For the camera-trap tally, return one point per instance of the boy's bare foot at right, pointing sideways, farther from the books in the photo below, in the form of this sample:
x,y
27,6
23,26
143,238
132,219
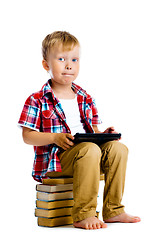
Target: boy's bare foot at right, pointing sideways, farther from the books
x,y
124,218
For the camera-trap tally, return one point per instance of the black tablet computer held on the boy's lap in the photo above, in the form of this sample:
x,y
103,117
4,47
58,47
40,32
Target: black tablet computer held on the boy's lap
x,y
98,138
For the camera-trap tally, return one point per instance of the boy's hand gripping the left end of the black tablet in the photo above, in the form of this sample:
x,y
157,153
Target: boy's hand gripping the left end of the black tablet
x,y
63,140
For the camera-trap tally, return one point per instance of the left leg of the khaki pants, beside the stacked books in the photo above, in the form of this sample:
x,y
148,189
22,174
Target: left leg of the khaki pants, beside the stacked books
x,y
82,161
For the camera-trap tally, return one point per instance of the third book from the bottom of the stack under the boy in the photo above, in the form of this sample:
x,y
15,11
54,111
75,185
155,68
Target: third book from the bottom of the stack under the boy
x,y
54,204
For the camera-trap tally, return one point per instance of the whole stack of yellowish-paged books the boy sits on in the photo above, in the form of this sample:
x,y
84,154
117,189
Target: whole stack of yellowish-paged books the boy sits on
x,y
54,202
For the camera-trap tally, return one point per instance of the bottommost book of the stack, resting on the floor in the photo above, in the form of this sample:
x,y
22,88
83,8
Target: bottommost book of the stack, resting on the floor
x,y
54,222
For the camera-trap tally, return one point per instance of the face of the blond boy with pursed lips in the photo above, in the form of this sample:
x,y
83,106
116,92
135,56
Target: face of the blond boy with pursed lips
x,y
63,65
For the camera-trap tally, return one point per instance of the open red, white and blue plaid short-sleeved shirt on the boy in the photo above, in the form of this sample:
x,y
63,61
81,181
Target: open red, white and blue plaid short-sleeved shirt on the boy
x,y
43,112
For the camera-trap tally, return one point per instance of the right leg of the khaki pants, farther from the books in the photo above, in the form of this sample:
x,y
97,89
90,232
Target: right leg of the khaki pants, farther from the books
x,y
113,164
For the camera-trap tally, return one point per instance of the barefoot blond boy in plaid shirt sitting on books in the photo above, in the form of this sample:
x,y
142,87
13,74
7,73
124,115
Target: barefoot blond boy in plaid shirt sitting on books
x,y
52,116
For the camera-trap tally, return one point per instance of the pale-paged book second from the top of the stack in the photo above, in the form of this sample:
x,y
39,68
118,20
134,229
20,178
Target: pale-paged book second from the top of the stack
x,y
54,188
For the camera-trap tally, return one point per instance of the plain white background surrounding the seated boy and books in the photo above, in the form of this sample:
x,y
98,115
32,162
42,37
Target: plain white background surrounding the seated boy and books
x,y
120,67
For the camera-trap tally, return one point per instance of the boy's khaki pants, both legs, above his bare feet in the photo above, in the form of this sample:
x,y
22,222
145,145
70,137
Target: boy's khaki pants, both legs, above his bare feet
x,y
85,161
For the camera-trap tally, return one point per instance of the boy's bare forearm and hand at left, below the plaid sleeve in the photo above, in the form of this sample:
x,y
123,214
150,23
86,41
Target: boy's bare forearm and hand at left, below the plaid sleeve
x,y
40,138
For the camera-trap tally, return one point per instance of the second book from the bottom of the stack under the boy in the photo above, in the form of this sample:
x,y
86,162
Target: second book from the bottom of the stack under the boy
x,y
53,213
